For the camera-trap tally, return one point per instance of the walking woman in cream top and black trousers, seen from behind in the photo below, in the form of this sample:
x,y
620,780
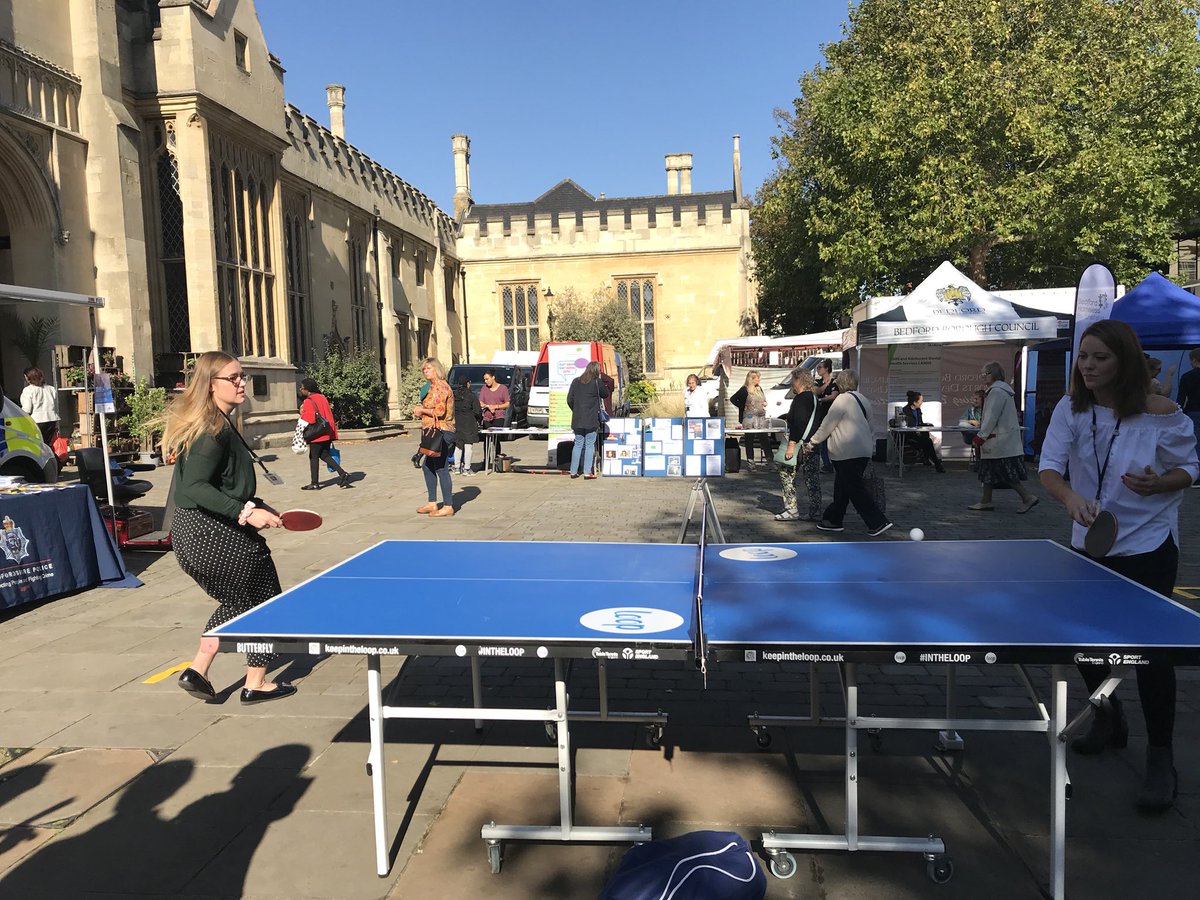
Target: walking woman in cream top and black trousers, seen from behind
x,y
848,429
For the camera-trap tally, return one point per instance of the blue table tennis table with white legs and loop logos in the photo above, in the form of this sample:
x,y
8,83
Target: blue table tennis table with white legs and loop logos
x,y
891,603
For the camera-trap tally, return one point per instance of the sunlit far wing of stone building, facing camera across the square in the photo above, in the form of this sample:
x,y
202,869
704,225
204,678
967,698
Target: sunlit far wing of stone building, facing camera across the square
x,y
681,261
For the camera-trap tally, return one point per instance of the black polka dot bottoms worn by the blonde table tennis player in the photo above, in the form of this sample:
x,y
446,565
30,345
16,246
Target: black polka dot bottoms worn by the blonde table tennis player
x,y
231,562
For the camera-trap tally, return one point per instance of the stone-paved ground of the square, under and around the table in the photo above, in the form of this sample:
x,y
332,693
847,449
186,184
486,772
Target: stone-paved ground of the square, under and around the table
x,y
113,787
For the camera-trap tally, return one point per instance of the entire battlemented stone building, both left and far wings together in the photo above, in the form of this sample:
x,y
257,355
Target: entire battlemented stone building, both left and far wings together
x,y
148,155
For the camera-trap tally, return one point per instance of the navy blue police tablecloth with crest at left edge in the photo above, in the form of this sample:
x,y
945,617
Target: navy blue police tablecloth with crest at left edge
x,y
55,543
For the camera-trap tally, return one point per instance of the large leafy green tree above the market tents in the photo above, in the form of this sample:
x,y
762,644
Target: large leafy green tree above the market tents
x,y
1019,139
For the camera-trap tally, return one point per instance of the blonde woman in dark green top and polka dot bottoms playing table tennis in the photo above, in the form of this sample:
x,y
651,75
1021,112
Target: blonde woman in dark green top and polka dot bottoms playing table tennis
x,y
218,519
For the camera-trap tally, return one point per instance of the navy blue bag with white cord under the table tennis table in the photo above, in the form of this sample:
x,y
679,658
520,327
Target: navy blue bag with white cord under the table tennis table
x,y
700,866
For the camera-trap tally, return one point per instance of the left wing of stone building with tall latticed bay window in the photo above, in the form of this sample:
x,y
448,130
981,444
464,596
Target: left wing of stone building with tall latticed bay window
x,y
148,155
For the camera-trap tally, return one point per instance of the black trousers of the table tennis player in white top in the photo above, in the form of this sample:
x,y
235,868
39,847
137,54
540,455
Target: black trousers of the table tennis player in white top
x,y
1156,683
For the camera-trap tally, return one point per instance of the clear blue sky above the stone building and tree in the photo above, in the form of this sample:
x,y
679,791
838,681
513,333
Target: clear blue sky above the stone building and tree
x,y
553,91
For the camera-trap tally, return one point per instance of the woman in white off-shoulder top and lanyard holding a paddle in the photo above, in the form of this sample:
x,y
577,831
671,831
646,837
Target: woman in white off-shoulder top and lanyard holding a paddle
x,y
1132,453
